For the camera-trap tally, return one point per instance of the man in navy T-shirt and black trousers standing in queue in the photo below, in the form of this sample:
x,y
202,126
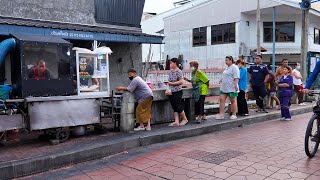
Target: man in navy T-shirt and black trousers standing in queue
x,y
258,77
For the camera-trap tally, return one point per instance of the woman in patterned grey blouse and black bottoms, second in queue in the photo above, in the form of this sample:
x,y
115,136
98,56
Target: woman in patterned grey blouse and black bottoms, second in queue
x,y
175,84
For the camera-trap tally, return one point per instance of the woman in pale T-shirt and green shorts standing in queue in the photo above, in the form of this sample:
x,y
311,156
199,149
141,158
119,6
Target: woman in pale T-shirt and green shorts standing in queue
x,y
229,88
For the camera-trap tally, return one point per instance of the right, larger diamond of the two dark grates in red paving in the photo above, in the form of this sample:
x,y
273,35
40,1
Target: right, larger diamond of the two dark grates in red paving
x,y
220,157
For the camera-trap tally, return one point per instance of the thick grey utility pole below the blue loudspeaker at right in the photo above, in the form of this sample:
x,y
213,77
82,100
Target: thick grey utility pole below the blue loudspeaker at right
x,y
304,42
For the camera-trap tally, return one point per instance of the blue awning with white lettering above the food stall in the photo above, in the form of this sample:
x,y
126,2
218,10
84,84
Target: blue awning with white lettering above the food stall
x,y
74,31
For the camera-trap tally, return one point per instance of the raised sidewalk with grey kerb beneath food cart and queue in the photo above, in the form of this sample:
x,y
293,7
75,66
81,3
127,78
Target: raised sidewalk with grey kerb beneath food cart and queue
x,y
35,156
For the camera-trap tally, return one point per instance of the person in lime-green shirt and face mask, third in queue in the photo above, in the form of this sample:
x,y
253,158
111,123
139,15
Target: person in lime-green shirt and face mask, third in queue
x,y
200,88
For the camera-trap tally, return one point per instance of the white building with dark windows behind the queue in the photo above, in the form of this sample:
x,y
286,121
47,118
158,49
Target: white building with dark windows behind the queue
x,y
211,30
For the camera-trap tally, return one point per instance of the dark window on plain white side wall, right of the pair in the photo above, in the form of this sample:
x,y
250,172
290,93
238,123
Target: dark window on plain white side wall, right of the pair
x,y
223,33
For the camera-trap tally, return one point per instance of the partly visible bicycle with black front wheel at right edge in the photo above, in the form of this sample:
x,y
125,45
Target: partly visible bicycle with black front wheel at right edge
x,y
312,136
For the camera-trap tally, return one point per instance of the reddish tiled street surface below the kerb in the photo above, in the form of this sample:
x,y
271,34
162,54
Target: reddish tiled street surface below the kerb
x,y
266,151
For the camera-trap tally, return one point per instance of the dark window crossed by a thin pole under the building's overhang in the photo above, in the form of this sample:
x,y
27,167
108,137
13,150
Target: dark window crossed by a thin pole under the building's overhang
x,y
284,31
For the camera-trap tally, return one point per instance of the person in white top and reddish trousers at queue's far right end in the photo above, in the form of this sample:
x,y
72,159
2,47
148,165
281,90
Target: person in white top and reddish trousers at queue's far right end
x,y
297,82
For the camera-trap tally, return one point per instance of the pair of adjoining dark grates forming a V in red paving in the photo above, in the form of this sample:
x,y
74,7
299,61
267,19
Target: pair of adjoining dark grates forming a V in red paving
x,y
214,158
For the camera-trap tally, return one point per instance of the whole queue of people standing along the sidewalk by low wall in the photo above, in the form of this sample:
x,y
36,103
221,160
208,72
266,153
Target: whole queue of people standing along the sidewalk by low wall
x,y
233,87
